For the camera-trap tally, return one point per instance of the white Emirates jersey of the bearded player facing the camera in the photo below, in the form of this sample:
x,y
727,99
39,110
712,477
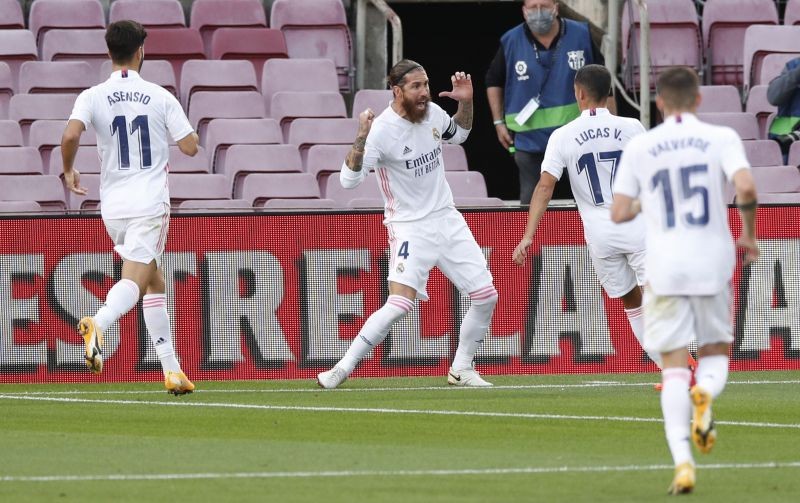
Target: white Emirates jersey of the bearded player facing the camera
x,y
407,158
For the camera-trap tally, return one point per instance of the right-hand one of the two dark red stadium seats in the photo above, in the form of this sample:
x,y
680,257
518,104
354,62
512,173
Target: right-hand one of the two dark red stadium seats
x,y
256,45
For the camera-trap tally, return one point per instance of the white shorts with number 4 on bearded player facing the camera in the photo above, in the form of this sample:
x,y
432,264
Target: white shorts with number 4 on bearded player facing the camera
x,y
444,241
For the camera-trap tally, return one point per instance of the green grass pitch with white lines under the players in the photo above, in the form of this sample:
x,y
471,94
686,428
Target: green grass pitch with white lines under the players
x,y
531,438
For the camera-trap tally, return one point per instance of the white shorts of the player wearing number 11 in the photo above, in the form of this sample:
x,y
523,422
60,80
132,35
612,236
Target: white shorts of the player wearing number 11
x,y
139,239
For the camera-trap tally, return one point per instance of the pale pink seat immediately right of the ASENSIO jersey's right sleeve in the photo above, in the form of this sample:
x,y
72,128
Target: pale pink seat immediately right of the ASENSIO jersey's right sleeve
x,y
209,105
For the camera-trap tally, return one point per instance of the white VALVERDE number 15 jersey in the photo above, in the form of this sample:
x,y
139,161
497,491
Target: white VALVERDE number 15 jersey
x,y
678,171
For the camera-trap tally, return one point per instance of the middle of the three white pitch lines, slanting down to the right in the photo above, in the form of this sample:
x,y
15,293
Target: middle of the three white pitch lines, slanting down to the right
x,y
381,410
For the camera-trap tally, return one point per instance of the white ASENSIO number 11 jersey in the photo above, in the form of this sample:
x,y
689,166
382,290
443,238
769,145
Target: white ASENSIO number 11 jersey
x,y
131,118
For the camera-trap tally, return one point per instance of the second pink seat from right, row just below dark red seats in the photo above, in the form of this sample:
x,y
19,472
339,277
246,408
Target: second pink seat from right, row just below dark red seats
x,y
198,75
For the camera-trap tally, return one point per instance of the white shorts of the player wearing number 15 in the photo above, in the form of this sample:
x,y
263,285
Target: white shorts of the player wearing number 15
x,y
672,321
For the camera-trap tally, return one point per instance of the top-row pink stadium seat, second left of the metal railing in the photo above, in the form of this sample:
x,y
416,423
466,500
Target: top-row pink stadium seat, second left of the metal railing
x,y
209,15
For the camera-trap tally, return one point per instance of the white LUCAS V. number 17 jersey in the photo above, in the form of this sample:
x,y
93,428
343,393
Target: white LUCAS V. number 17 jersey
x,y
590,148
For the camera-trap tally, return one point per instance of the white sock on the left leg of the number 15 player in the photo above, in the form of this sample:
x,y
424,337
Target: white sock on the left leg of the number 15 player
x,y
676,405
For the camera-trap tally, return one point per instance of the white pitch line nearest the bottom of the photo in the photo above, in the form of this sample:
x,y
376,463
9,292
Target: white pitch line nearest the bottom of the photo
x,y
391,473
